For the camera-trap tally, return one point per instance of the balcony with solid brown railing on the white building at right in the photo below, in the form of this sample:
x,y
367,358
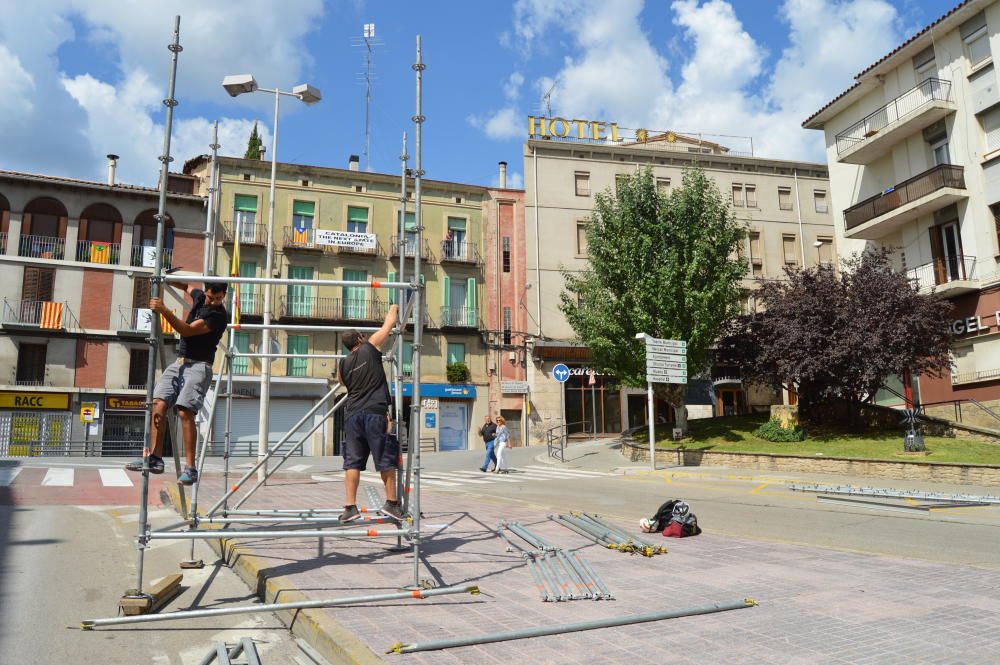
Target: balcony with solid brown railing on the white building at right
x,y
920,195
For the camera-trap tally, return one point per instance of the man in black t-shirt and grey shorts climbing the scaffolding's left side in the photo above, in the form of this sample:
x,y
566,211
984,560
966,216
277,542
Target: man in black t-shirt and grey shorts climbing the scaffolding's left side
x,y
185,383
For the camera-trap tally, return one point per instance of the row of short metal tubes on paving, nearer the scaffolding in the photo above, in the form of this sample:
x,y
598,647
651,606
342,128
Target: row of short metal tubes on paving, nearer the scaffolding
x,y
559,575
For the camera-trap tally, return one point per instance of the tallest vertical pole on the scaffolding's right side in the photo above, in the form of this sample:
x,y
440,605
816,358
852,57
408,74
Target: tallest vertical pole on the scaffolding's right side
x,y
418,325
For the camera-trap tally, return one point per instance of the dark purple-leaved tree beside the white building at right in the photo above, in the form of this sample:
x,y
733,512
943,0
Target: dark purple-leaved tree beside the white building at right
x,y
841,335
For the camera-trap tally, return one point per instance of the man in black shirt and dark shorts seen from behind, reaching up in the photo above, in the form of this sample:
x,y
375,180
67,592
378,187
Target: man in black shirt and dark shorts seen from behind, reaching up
x,y
366,418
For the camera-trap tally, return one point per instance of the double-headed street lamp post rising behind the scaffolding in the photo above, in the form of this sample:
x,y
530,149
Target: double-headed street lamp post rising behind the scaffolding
x,y
235,85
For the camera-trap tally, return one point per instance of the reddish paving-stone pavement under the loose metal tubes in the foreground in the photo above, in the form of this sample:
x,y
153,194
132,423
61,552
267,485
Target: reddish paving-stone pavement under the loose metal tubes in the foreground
x,y
816,605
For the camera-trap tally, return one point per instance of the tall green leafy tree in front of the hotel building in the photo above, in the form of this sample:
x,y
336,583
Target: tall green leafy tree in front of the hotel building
x,y
665,266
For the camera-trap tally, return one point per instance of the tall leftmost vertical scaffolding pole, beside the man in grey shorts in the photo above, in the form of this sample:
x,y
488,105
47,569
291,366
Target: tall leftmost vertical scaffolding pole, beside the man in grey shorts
x,y
155,336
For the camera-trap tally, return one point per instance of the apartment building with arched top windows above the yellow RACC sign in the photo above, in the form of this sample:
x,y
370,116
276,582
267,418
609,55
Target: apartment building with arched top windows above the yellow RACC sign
x,y
75,263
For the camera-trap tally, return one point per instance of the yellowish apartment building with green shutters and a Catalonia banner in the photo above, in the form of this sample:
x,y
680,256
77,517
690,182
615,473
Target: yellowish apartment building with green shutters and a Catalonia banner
x,y
312,200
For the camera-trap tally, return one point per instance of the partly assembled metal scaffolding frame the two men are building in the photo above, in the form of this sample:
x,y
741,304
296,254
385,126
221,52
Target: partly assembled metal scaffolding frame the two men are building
x,y
288,522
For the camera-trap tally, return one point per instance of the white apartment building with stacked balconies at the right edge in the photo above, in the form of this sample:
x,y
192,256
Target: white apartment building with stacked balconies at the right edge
x,y
913,148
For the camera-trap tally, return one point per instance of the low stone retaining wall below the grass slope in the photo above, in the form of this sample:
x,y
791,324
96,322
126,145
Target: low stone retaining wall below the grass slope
x,y
933,471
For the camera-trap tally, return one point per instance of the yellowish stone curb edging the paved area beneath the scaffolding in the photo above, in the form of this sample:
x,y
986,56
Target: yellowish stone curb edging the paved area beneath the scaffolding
x,y
322,632
